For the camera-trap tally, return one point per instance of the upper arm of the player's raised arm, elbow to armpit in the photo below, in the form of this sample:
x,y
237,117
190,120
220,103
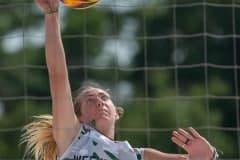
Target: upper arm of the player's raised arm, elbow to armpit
x,y
65,122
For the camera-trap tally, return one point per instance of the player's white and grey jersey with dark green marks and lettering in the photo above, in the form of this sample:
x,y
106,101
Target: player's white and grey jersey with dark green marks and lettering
x,y
89,144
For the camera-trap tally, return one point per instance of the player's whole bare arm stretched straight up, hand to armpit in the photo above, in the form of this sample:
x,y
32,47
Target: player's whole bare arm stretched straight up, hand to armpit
x,y
65,122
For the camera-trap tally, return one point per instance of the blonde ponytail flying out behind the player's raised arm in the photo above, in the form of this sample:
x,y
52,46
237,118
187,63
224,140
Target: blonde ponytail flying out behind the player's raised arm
x,y
38,137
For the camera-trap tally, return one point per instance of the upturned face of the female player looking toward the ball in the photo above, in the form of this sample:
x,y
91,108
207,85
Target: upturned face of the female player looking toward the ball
x,y
96,104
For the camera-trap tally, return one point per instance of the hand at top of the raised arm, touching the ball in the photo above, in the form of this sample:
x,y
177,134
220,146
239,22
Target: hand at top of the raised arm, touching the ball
x,y
48,6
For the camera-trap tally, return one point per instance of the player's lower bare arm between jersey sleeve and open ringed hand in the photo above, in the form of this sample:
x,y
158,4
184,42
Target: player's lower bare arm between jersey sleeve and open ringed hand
x,y
152,154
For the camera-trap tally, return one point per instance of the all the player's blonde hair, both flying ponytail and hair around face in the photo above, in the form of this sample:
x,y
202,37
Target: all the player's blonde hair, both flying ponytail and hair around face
x,y
38,135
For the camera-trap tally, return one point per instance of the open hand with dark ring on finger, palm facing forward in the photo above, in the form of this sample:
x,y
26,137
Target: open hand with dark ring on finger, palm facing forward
x,y
193,143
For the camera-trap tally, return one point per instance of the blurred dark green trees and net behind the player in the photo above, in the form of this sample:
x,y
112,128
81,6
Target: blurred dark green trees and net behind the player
x,y
168,63
